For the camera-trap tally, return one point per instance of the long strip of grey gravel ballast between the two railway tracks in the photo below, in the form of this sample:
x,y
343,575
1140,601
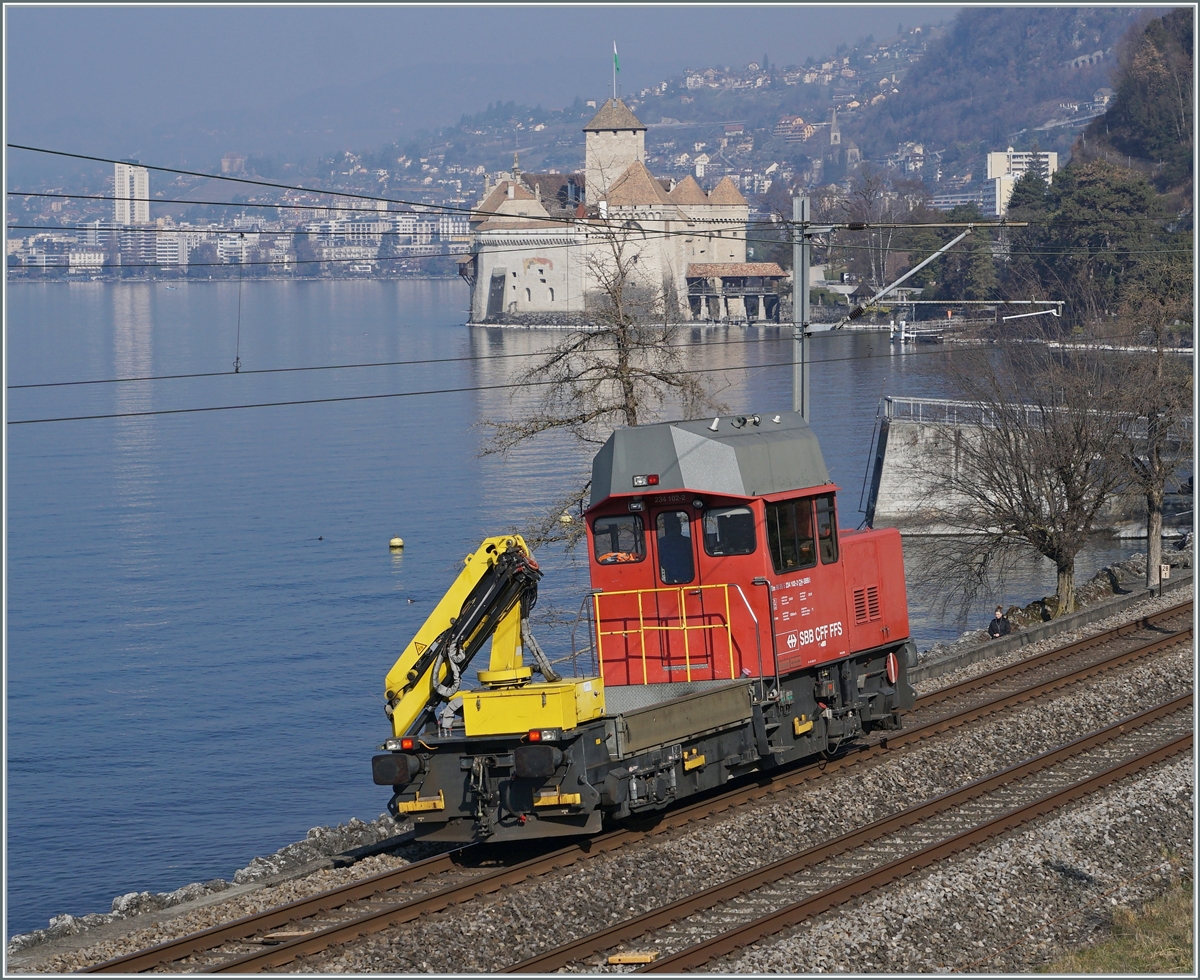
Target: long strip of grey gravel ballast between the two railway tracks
x,y
496,931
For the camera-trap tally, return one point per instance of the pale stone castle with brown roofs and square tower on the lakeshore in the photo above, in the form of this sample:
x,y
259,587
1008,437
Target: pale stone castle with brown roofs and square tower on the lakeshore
x,y
544,245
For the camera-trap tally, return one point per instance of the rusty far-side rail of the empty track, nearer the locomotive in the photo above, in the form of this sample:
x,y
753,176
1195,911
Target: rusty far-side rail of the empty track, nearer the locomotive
x,y
632,929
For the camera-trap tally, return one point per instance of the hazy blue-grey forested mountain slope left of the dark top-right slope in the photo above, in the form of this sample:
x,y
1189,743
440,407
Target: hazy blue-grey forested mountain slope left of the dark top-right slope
x,y
995,77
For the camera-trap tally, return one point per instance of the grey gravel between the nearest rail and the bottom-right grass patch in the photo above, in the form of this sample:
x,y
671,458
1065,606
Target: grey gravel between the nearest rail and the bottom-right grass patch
x,y
1015,906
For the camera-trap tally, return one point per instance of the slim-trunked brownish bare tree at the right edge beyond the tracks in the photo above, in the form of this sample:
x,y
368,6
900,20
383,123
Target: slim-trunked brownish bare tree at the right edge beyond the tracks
x,y
1159,394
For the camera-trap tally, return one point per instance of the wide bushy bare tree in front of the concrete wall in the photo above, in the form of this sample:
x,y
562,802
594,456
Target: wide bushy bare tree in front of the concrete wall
x,y
1037,462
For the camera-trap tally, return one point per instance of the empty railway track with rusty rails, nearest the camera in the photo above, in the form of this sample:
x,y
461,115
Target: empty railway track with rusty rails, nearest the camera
x,y
698,930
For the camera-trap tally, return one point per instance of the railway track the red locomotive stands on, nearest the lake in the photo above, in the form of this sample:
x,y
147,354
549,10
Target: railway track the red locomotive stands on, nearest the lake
x,y
308,927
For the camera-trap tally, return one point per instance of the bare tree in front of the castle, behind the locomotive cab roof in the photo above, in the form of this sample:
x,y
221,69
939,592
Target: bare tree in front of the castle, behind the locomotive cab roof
x,y
623,369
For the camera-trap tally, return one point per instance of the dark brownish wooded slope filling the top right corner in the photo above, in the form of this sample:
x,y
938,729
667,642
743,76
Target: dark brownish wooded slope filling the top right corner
x,y
1151,119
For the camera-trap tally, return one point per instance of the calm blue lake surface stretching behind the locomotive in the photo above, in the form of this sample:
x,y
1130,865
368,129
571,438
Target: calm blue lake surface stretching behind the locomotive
x,y
202,608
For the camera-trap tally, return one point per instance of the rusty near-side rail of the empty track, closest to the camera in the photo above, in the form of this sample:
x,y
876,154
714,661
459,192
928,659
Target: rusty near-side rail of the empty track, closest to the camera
x,y
730,942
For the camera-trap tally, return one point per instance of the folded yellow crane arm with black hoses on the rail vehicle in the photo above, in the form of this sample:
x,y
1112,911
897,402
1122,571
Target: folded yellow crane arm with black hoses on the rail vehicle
x,y
497,586
